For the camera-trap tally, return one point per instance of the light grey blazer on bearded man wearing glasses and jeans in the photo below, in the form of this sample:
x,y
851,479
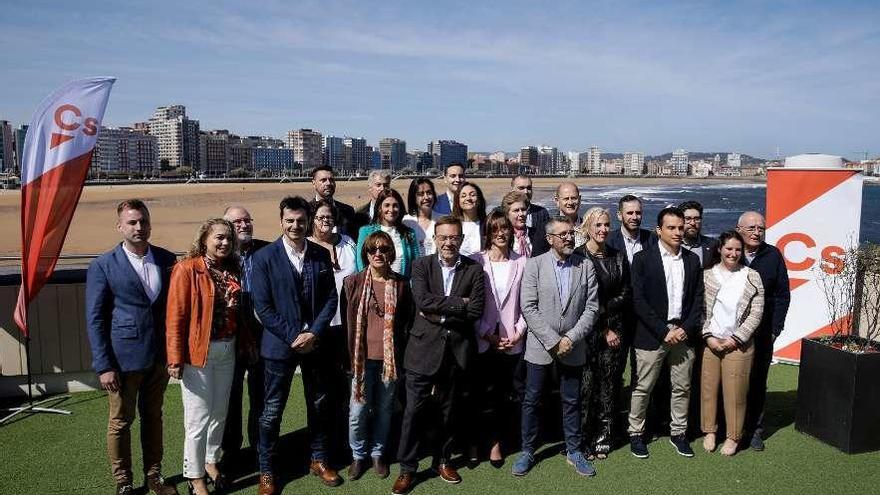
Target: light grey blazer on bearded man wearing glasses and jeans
x,y
548,318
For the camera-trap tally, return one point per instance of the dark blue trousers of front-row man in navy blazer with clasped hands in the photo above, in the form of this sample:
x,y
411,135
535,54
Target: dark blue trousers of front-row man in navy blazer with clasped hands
x,y
278,377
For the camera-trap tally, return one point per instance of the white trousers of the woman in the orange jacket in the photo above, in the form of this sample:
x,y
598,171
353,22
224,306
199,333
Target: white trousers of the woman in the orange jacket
x,y
205,401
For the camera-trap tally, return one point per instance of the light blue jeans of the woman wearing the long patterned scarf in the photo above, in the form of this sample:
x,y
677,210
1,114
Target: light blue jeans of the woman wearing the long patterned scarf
x,y
369,423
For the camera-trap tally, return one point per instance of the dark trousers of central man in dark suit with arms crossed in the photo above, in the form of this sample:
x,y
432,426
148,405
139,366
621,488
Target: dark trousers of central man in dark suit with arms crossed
x,y
443,390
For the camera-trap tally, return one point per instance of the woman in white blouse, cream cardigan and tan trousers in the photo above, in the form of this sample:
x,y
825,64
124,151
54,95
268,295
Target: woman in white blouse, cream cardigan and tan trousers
x,y
734,306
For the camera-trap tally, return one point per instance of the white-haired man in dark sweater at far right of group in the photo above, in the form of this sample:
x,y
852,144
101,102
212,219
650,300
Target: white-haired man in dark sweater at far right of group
x,y
769,263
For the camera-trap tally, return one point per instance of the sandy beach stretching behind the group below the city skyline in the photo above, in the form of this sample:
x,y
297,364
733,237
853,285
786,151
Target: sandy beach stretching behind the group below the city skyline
x,y
178,209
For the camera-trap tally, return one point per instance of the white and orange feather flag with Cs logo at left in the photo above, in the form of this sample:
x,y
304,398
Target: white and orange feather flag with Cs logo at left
x,y
57,153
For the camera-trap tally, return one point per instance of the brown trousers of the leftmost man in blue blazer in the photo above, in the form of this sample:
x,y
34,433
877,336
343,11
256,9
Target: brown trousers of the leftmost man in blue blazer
x,y
143,393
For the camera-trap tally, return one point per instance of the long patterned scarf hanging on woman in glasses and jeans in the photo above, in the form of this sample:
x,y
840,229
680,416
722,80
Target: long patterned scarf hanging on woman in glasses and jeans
x,y
389,366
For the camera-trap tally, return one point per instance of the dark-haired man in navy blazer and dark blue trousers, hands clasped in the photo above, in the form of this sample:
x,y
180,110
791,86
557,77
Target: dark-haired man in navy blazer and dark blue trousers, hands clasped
x,y
294,297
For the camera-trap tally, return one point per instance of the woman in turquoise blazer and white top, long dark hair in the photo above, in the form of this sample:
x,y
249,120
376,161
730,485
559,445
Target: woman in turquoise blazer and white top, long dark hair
x,y
388,217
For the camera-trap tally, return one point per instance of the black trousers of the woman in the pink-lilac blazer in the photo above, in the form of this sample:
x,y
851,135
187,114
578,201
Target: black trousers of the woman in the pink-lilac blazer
x,y
494,393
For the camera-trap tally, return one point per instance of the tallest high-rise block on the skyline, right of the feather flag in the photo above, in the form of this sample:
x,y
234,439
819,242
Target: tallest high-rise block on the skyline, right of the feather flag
x,y
177,136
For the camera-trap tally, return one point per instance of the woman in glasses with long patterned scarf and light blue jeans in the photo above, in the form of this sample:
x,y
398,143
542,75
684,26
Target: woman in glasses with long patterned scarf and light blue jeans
x,y
377,308
